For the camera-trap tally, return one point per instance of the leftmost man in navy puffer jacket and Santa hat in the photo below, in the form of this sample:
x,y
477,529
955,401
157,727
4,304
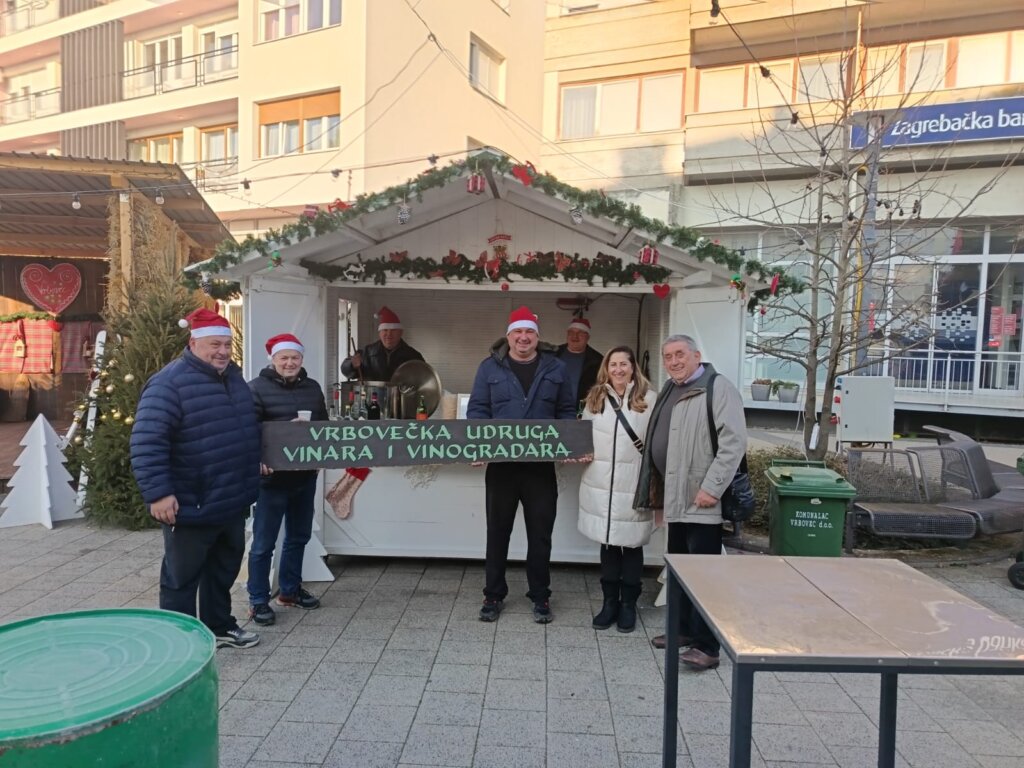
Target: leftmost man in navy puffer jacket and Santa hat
x,y
195,454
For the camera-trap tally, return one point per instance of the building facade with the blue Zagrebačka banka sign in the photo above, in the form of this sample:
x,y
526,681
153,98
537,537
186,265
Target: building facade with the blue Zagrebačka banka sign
x,y
769,96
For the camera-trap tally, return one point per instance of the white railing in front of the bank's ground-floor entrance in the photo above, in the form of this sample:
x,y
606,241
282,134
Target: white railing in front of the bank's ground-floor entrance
x,y
953,372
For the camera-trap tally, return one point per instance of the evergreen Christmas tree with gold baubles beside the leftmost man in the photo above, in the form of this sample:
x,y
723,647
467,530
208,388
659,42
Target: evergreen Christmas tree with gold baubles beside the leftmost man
x,y
141,340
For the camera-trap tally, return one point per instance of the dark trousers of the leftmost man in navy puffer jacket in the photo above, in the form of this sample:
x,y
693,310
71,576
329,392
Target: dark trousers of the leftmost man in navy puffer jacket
x,y
203,560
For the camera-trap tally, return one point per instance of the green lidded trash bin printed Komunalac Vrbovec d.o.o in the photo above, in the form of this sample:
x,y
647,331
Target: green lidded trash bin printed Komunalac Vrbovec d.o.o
x,y
807,509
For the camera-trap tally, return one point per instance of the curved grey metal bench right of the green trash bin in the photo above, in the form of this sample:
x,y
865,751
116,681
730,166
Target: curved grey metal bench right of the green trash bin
x,y
942,492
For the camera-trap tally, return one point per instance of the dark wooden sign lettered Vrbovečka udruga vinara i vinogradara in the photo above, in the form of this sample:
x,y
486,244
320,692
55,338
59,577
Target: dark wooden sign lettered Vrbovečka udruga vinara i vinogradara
x,y
295,445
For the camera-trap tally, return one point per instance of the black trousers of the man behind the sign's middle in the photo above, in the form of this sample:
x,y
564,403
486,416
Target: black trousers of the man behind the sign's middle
x,y
508,484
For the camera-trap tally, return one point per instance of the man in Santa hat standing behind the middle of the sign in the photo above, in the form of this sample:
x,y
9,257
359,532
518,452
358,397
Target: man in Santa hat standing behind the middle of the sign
x,y
521,380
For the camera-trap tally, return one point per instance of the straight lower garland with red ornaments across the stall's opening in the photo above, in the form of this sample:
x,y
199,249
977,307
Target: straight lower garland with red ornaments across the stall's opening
x,y
548,266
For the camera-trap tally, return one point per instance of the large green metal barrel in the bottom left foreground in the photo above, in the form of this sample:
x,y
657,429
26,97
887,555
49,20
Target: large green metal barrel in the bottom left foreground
x,y
114,689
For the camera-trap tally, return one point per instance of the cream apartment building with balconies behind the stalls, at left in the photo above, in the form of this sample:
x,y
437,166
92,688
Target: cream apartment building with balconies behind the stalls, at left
x,y
271,106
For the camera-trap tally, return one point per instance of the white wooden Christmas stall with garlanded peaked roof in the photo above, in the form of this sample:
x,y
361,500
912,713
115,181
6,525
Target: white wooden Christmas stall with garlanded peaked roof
x,y
451,253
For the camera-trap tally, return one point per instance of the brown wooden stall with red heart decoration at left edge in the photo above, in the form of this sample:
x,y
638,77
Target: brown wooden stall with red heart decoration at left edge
x,y
73,235
